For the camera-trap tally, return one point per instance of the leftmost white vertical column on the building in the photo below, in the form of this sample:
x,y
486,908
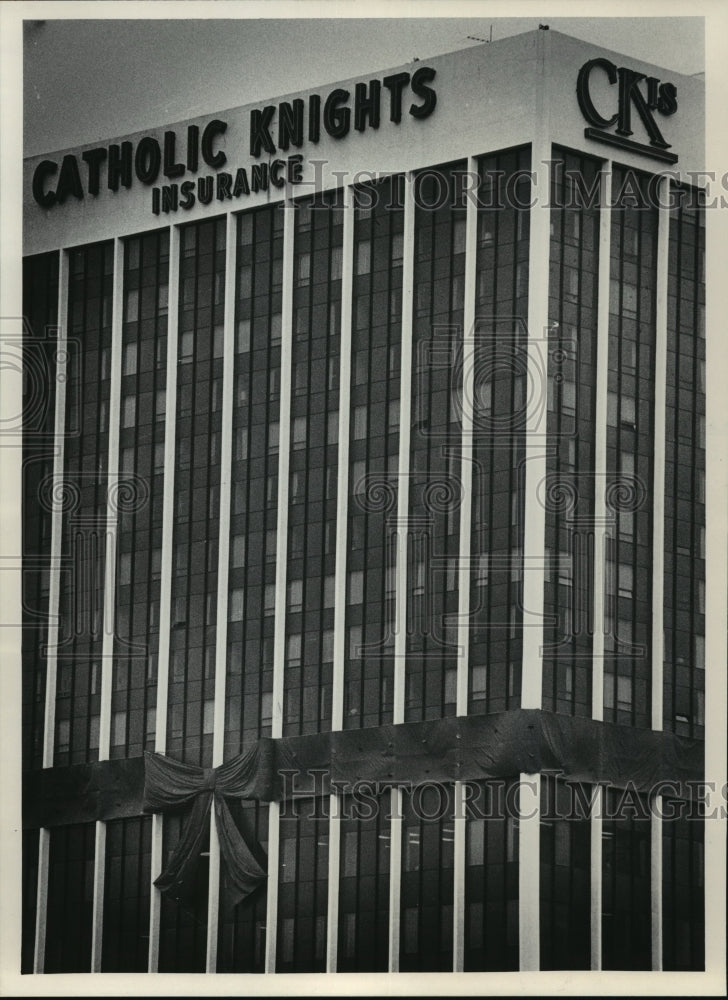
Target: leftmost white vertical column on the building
x,y
54,591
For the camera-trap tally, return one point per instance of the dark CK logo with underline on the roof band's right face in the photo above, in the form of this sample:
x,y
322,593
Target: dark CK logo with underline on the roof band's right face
x,y
637,93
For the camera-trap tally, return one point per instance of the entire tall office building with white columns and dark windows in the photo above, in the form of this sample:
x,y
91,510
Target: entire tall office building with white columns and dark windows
x,y
366,434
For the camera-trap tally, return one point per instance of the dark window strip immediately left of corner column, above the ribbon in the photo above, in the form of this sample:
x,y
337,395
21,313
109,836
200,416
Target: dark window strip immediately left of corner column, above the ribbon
x,y
499,420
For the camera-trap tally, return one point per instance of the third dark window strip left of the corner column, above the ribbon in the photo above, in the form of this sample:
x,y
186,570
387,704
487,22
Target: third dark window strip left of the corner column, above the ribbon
x,y
373,455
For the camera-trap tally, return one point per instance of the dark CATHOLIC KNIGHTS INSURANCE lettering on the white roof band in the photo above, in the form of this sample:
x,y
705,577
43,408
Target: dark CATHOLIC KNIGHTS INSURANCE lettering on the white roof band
x,y
273,130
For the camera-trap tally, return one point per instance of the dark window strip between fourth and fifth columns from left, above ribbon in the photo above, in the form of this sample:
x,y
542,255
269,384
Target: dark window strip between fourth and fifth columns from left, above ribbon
x,y
256,415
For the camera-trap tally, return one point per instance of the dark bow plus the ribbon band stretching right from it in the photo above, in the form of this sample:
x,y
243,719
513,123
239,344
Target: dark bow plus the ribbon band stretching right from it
x,y
468,748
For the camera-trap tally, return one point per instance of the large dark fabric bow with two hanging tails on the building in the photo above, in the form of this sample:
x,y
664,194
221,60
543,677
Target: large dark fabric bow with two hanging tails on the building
x,y
171,784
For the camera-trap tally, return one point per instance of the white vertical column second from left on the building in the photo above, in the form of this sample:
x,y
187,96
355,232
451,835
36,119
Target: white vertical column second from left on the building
x,y
109,609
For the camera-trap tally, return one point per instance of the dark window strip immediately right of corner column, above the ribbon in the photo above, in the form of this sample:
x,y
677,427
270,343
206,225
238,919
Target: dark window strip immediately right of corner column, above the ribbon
x,y
570,350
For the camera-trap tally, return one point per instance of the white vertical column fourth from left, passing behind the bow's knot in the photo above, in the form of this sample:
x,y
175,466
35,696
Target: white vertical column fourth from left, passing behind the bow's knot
x,y
223,570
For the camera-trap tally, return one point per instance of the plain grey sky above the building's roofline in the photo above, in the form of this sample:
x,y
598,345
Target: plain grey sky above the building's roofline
x,y
87,80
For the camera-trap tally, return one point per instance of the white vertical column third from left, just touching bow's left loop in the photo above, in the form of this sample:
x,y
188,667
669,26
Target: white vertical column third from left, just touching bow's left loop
x,y
165,592
